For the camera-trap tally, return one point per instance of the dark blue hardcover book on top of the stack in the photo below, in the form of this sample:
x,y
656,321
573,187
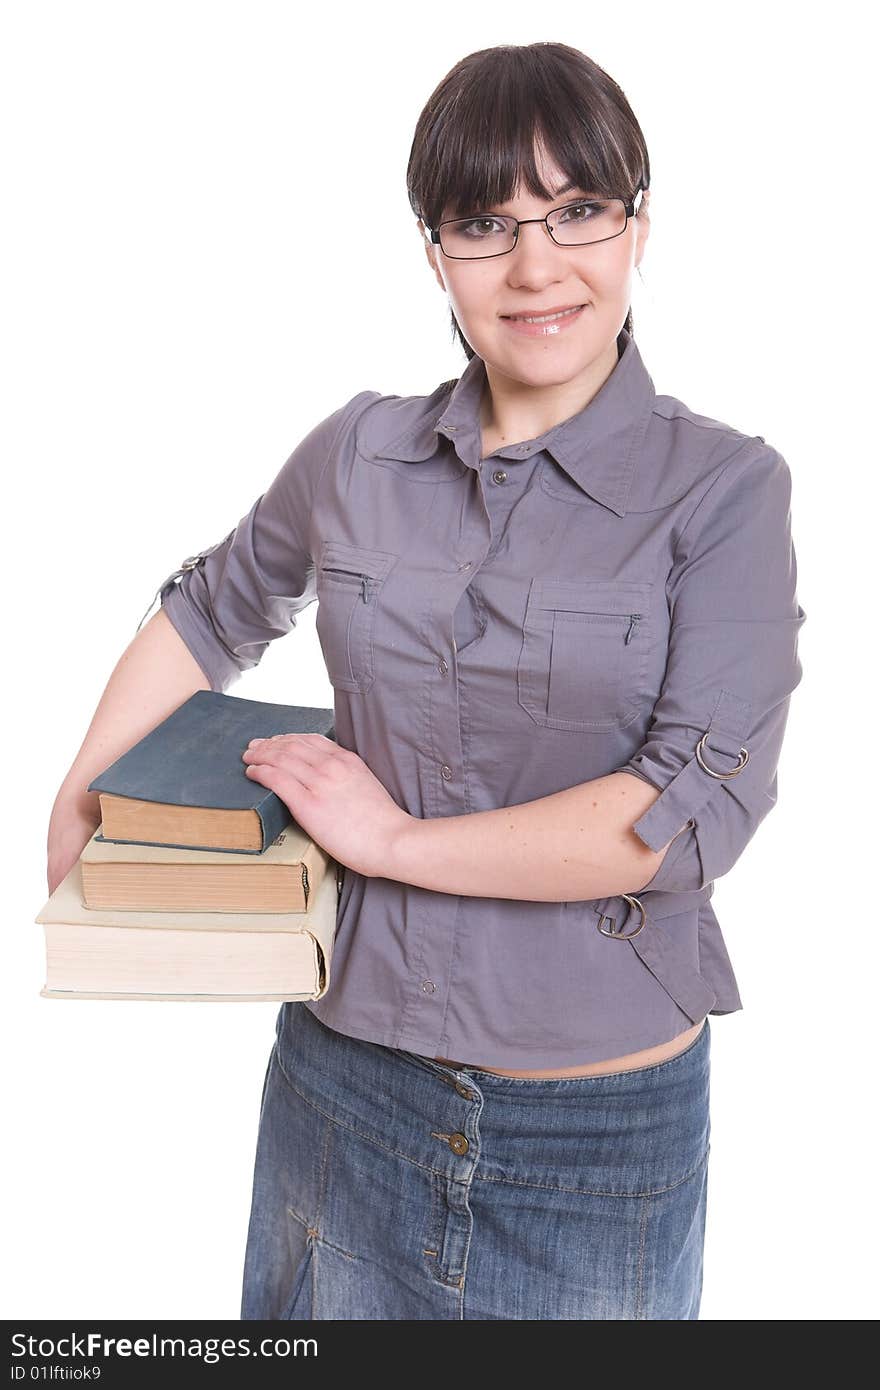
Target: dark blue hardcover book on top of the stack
x,y
186,786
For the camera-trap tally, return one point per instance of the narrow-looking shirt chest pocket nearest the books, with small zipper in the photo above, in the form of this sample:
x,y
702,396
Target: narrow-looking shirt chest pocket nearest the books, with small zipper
x,y
350,580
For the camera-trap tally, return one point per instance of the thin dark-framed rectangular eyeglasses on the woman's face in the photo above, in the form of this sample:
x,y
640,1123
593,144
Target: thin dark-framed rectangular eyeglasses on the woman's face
x,y
576,224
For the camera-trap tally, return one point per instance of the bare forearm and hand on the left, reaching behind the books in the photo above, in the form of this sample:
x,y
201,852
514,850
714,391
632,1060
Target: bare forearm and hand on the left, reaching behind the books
x,y
154,676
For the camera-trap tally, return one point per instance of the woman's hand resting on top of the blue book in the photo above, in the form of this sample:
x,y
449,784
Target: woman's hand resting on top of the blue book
x,y
333,796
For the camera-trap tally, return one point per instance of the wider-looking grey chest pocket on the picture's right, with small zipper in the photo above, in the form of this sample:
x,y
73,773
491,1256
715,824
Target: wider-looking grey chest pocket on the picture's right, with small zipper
x,y
585,655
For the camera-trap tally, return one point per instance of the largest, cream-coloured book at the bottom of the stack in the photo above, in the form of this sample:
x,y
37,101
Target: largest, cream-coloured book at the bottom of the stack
x,y
187,956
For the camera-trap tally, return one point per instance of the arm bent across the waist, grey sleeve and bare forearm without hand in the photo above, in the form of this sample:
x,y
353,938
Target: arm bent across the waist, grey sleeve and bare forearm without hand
x,y
711,751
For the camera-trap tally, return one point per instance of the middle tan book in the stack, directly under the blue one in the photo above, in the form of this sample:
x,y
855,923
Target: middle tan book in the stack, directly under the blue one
x,y
136,878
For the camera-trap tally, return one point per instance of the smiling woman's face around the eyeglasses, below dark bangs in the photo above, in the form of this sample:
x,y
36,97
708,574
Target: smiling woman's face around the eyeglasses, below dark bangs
x,y
537,277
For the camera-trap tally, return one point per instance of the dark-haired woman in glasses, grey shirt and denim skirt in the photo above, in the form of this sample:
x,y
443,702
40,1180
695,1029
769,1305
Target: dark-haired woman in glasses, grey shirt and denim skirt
x,y
561,692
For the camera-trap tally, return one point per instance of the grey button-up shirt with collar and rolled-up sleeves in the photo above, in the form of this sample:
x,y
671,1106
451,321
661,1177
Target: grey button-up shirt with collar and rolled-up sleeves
x,y
618,594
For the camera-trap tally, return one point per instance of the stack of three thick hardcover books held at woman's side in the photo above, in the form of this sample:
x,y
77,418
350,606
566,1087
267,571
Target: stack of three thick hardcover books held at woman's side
x,y
198,883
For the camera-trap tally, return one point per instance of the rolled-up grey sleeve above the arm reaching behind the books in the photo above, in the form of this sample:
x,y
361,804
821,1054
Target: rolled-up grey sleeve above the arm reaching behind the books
x,y
231,600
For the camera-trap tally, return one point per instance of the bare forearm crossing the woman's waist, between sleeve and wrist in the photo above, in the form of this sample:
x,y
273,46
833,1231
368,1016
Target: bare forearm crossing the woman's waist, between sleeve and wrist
x,y
568,847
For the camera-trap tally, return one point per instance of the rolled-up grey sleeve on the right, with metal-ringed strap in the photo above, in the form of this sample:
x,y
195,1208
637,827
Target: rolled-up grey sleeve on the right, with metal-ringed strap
x,y
717,733
